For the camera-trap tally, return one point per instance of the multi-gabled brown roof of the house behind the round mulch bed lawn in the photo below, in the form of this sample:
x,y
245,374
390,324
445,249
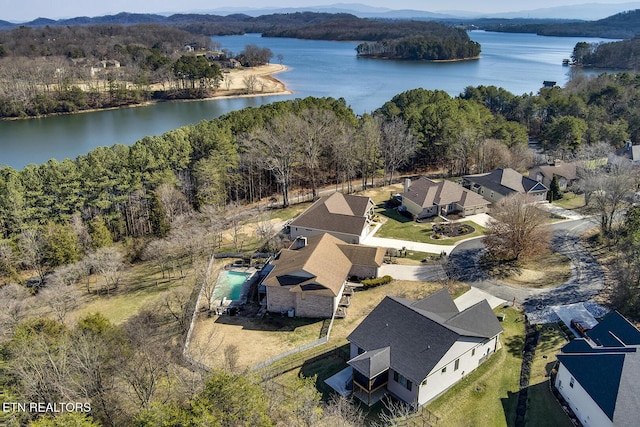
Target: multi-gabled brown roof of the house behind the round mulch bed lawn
x,y
426,193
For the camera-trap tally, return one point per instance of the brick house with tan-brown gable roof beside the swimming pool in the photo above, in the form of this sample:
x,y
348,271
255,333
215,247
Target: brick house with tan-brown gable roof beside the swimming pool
x,y
310,276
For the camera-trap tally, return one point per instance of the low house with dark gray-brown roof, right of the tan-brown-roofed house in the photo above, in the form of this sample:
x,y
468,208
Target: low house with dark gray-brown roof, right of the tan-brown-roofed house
x,y
500,183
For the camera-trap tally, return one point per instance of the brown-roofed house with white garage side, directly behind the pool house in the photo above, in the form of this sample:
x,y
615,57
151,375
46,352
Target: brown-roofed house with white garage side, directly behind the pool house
x,y
344,216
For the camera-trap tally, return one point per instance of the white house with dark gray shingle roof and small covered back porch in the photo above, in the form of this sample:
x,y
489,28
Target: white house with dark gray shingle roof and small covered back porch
x,y
416,350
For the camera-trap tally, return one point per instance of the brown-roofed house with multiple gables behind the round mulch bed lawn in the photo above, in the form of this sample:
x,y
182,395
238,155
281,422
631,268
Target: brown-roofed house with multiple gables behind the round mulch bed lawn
x,y
425,198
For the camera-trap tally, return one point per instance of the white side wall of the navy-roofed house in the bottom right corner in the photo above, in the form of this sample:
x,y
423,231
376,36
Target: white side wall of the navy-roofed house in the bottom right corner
x,y
587,411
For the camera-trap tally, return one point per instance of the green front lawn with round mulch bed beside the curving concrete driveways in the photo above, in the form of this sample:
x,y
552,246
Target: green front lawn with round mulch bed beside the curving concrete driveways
x,y
400,227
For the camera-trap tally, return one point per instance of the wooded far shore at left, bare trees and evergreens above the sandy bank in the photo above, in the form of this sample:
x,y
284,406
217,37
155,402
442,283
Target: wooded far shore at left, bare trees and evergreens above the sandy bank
x,y
54,70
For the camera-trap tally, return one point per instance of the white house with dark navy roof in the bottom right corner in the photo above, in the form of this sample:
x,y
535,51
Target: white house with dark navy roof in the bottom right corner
x,y
599,375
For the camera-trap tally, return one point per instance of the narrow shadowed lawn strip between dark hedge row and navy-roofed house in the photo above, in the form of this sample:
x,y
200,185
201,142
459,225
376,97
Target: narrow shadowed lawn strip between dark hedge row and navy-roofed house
x,y
543,410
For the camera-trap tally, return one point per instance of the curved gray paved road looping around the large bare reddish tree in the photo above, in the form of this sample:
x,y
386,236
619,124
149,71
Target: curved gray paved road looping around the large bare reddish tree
x,y
586,281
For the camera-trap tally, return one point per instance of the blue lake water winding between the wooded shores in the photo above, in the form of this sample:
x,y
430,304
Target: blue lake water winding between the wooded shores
x,y
516,62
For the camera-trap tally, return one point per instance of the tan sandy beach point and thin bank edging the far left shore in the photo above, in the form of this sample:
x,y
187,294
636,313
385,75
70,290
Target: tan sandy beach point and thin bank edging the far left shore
x,y
263,73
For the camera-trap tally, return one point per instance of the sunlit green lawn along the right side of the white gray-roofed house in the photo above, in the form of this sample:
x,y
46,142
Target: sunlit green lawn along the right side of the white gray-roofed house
x,y
487,397
